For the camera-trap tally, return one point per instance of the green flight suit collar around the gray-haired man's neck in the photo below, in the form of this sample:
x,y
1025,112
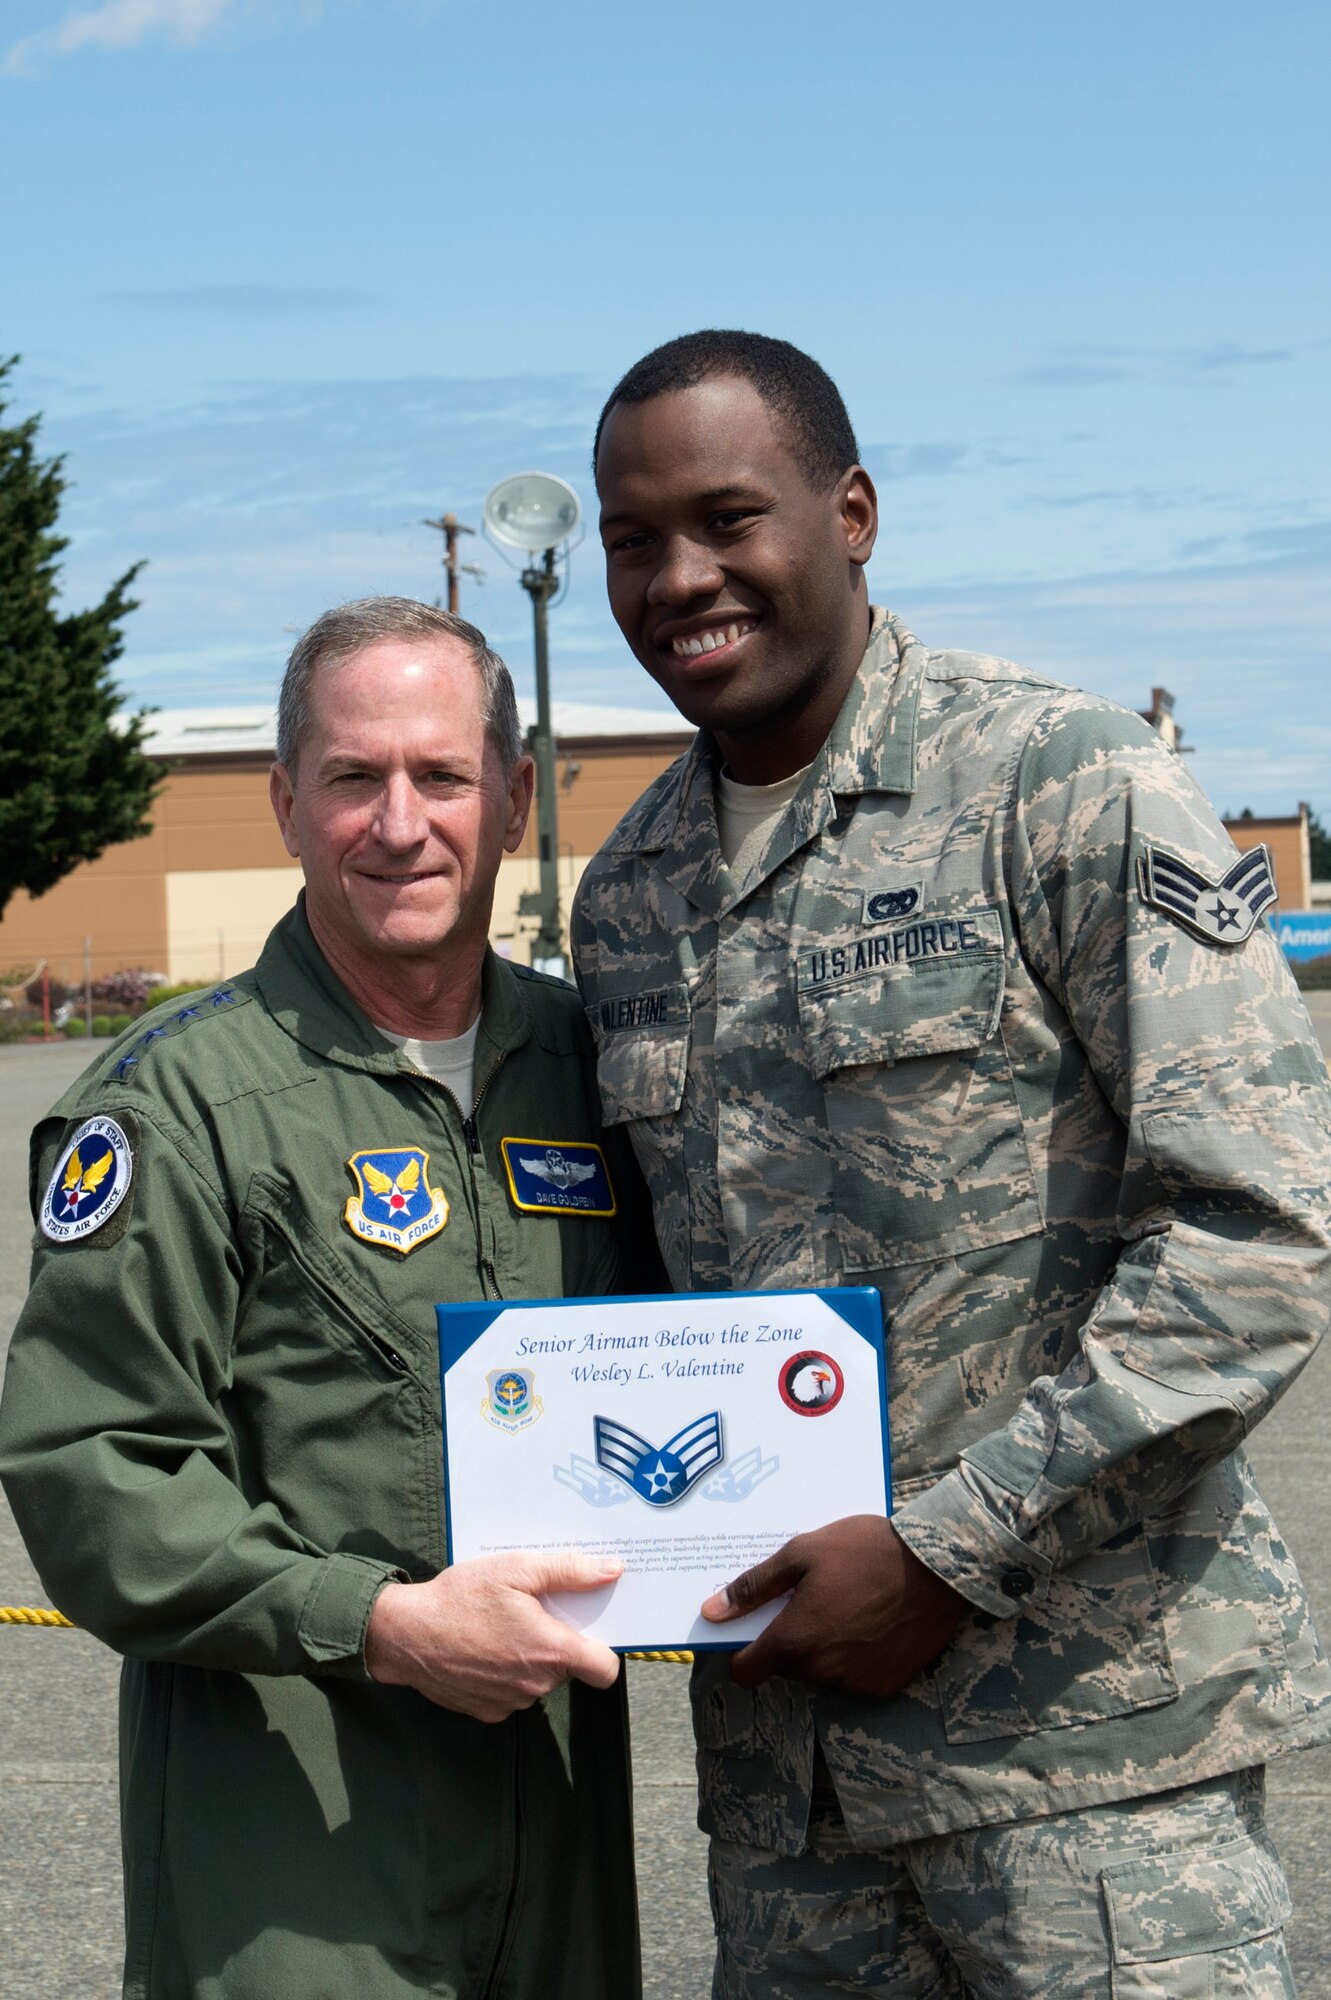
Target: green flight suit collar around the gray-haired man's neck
x,y
307,997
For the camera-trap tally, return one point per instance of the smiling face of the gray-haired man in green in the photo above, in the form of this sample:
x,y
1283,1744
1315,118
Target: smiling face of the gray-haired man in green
x,y
401,809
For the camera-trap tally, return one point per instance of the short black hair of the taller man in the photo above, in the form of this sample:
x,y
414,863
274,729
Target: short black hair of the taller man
x,y
790,383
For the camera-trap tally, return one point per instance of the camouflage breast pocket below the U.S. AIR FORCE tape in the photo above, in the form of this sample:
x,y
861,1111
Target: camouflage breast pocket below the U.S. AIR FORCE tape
x,y
924,1125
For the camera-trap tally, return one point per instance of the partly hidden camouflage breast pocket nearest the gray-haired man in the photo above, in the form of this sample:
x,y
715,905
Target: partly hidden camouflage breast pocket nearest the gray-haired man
x,y
641,1073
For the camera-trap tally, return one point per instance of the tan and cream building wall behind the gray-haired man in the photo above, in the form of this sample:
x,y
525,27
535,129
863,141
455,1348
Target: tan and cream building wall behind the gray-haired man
x,y
199,895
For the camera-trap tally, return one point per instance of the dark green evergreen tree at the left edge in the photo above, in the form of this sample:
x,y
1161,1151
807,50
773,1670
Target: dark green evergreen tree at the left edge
x,y
73,771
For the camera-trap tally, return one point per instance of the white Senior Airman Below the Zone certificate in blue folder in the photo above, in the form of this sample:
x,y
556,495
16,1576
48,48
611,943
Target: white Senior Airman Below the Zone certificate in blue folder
x,y
688,1435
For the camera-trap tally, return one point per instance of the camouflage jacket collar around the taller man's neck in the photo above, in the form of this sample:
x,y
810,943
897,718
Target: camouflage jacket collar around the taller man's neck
x,y
870,749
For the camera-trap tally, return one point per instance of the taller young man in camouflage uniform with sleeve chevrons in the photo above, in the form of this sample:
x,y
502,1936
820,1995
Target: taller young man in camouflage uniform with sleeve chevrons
x,y
928,973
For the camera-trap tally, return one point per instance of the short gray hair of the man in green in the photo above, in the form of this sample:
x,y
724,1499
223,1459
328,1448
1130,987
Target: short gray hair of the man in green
x,y
347,631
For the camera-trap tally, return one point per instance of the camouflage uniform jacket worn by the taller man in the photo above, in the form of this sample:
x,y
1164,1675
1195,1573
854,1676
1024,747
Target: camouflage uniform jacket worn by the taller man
x,y
944,1045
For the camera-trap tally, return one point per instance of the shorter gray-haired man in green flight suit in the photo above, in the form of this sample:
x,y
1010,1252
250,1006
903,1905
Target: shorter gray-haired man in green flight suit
x,y
349,1773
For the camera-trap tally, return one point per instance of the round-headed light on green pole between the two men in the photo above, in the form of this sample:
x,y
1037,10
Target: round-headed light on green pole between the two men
x,y
537,513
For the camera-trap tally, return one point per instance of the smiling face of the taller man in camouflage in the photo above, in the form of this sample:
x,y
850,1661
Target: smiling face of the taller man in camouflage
x,y
738,585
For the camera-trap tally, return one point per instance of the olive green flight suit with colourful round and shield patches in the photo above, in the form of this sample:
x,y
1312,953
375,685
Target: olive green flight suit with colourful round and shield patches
x,y
223,1435
